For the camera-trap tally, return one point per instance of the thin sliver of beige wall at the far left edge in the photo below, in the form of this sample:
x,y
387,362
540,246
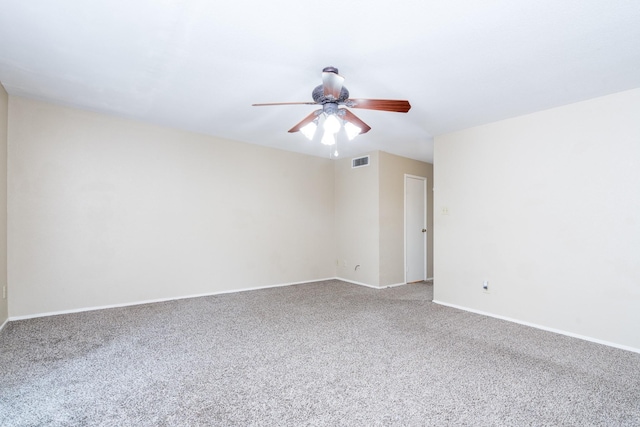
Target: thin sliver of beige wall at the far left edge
x,y
4,112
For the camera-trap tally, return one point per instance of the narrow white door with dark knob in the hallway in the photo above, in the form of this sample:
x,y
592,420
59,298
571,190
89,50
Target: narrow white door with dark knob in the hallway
x,y
415,222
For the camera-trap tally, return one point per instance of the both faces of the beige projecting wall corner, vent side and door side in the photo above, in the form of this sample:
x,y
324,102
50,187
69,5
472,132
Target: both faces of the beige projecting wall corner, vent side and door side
x,y
370,218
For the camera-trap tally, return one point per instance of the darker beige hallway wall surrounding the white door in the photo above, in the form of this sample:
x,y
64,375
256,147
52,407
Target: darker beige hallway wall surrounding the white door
x,y
392,171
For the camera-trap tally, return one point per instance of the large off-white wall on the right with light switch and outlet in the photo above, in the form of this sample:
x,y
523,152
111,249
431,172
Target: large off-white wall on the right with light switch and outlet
x,y
545,207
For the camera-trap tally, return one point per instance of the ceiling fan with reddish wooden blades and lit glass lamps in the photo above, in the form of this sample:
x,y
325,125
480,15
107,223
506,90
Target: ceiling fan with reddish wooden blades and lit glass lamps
x,y
331,94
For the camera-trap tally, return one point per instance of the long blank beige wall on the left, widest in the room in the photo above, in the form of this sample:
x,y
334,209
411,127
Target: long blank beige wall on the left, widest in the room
x,y
106,211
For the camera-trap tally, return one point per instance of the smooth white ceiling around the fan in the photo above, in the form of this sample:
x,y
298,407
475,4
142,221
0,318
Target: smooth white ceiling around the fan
x,y
200,64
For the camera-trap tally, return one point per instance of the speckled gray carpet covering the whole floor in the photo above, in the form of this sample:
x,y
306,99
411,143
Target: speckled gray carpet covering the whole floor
x,y
325,354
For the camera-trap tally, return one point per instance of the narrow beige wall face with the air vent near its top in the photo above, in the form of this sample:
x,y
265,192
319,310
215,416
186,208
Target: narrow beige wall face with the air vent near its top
x,y
357,221
